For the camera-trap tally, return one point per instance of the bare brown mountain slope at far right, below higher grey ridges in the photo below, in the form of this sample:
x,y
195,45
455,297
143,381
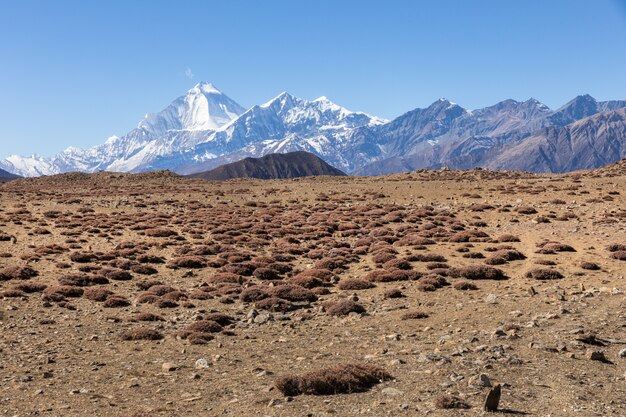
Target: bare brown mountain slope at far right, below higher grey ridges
x,y
589,143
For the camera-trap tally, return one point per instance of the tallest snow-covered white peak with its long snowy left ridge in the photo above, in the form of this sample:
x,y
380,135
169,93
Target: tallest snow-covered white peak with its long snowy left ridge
x,y
187,121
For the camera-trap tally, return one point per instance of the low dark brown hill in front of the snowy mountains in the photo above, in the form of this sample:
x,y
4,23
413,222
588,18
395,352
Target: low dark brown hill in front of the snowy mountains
x,y
273,166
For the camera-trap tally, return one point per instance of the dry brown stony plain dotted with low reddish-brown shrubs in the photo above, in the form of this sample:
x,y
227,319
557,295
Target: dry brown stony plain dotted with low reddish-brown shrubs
x,y
156,295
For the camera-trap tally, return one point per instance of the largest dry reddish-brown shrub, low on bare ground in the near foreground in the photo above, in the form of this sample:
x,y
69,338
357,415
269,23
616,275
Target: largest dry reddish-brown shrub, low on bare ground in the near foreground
x,y
339,379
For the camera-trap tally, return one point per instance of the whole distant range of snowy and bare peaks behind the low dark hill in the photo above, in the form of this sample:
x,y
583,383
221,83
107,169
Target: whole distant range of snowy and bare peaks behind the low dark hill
x,y
204,129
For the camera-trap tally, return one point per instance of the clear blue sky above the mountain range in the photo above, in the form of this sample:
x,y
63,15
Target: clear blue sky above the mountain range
x,y
76,72
